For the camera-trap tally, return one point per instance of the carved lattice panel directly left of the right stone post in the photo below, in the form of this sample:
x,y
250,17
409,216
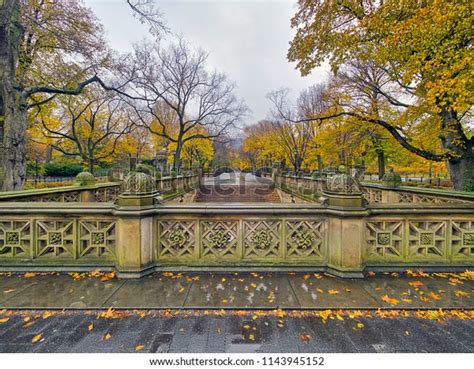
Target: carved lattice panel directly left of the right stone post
x,y
304,238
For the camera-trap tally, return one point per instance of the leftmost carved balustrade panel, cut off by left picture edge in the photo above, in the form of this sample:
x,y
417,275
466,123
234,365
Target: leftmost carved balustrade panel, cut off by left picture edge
x,y
15,238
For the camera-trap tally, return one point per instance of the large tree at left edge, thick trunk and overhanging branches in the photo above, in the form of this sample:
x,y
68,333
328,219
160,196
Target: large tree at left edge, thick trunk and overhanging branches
x,y
48,48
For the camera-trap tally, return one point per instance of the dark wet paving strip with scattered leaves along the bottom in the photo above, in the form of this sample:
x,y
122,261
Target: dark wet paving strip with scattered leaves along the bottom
x,y
232,331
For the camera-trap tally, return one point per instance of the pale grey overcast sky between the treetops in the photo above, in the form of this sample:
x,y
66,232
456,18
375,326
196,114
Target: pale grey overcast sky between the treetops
x,y
246,39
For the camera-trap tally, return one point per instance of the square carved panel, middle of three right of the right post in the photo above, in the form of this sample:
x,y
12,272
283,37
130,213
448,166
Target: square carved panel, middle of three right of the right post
x,y
427,239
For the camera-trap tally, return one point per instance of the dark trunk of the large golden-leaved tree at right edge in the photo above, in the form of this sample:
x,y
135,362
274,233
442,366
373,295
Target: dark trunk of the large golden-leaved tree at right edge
x,y
461,150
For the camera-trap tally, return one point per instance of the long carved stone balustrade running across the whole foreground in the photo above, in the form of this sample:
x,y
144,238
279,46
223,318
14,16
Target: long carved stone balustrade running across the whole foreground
x,y
138,239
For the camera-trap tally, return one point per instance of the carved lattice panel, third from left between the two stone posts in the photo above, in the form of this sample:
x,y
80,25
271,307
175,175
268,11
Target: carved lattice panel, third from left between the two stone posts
x,y
262,238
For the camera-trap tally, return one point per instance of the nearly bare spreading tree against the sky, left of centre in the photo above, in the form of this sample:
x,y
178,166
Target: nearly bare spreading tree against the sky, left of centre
x,y
177,98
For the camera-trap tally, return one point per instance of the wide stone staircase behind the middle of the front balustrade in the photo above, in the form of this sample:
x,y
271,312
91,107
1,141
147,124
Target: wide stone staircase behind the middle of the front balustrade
x,y
237,193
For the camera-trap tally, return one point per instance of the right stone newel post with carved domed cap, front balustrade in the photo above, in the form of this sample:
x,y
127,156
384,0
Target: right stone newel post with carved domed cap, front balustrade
x,y
343,195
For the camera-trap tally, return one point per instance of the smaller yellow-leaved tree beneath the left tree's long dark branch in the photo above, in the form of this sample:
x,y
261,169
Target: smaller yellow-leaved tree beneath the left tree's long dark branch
x,y
88,126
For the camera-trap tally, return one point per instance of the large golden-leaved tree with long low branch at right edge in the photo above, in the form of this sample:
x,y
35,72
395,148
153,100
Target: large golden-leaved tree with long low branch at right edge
x,y
425,51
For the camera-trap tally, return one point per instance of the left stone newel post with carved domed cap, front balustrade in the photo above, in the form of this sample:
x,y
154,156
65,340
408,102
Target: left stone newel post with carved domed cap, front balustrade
x,y
136,232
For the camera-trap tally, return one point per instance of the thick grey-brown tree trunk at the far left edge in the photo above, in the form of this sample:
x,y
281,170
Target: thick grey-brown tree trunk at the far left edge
x,y
13,106
